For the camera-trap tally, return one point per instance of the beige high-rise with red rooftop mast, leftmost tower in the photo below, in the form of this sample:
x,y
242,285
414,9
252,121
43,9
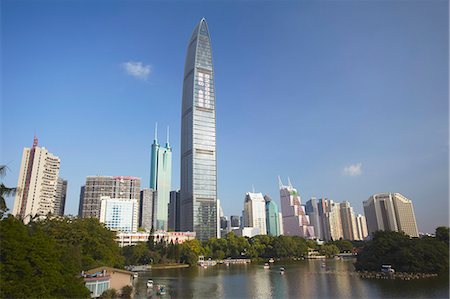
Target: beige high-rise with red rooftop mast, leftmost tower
x,y
37,183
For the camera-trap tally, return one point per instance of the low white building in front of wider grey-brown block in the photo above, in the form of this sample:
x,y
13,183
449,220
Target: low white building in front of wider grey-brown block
x,y
119,214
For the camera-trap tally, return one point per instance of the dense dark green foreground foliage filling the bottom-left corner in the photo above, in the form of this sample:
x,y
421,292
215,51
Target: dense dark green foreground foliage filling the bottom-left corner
x,y
34,265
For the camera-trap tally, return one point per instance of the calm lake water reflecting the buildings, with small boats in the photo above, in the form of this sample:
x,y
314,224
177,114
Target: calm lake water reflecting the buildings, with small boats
x,y
305,279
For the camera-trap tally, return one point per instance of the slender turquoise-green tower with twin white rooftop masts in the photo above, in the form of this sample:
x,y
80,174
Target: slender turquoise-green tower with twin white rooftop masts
x,y
160,181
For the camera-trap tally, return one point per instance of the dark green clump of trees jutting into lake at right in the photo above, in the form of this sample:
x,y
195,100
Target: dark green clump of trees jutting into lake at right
x,y
425,255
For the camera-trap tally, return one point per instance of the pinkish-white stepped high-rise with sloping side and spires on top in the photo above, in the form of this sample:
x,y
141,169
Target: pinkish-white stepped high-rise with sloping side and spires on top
x,y
295,220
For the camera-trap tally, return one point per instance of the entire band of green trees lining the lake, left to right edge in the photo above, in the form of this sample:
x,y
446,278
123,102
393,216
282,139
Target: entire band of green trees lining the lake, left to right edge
x,y
45,258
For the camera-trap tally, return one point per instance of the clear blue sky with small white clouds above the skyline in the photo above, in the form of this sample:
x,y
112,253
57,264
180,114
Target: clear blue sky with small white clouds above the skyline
x,y
347,98
